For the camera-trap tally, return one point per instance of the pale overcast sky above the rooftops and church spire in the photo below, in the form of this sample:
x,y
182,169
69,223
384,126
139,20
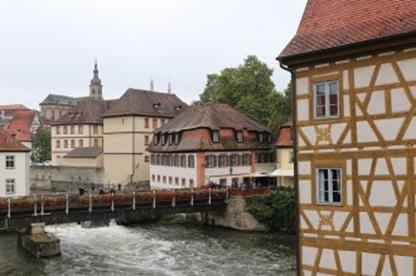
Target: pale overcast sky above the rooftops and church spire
x,y
49,46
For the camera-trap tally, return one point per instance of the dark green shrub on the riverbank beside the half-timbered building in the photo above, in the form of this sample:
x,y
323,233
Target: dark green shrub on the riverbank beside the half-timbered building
x,y
276,210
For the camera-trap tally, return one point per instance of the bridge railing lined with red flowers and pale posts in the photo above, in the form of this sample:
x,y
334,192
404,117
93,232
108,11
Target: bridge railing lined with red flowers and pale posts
x,y
47,203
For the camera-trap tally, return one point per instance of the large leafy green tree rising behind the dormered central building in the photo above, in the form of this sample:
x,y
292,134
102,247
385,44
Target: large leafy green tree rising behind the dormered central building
x,y
250,89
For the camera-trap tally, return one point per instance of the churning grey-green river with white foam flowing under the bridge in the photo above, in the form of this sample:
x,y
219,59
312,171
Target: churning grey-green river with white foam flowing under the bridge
x,y
155,249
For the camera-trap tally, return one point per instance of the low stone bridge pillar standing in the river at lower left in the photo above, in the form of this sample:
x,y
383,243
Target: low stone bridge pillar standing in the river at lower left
x,y
37,242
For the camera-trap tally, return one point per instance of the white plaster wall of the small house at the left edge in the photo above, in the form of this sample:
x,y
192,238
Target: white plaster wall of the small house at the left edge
x,y
20,173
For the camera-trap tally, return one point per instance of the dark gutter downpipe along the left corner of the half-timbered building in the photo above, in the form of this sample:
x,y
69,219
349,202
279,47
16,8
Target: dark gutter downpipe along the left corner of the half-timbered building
x,y
295,165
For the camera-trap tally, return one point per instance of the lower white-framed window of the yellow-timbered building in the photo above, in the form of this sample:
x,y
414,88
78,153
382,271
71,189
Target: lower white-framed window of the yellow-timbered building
x,y
329,186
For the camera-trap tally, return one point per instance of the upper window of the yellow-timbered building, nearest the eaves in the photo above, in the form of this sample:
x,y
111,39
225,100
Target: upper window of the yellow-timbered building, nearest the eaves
x,y
326,99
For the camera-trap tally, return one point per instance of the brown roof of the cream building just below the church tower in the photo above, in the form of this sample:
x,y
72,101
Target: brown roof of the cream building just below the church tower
x,y
89,111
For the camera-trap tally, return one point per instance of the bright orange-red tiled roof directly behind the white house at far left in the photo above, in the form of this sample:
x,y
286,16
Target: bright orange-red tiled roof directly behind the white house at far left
x,y
20,125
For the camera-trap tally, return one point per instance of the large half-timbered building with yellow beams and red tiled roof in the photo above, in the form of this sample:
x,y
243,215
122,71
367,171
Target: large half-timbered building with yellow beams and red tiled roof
x,y
353,64
